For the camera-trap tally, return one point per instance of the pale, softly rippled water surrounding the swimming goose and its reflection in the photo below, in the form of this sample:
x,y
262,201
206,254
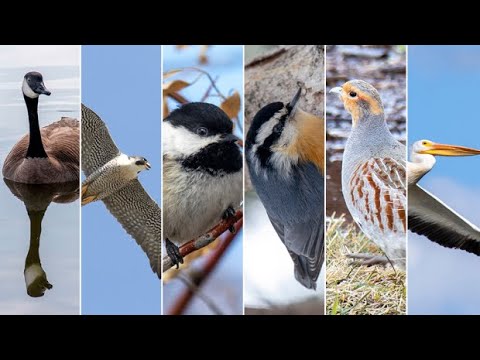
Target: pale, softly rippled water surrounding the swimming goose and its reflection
x,y
60,239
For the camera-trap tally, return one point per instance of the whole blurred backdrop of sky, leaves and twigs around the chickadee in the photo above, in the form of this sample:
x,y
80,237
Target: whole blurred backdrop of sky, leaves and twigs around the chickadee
x,y
202,70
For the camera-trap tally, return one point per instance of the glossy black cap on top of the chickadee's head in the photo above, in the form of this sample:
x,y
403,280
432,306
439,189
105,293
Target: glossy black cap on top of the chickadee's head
x,y
202,119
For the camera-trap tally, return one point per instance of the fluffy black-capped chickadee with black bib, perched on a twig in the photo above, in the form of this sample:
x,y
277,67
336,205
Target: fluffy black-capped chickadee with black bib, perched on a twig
x,y
202,173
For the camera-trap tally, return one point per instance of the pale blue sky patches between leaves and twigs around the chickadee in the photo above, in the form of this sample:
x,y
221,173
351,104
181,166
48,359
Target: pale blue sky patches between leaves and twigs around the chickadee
x,y
225,284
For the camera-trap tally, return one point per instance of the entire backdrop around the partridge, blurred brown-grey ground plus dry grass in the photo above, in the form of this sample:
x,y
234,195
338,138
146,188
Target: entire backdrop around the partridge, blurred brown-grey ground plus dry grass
x,y
360,290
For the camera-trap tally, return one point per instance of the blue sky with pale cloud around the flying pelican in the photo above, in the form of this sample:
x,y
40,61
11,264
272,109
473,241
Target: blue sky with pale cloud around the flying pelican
x,y
442,99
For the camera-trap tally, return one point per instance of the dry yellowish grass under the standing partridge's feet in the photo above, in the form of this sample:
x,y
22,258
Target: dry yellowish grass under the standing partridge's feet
x,y
359,290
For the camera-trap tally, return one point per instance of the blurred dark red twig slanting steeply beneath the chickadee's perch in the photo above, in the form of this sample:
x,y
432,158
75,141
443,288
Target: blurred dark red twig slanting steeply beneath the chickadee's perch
x,y
183,301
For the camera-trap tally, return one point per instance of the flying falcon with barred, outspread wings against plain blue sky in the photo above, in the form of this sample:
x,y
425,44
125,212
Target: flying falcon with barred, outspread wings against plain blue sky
x,y
112,178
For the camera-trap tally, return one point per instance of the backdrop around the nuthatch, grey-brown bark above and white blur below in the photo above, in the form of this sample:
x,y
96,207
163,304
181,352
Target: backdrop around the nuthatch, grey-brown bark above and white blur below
x,y
271,74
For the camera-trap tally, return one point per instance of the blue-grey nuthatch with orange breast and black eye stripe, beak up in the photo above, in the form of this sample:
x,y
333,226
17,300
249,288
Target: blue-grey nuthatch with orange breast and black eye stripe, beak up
x,y
284,153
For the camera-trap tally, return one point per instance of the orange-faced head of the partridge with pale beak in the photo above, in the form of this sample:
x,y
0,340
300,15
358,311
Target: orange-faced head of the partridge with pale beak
x,y
360,99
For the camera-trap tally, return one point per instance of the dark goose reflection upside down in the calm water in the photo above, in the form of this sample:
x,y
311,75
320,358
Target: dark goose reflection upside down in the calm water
x,y
37,198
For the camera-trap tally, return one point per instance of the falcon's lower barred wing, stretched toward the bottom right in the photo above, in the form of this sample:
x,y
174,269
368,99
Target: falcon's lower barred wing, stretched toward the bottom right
x,y
140,216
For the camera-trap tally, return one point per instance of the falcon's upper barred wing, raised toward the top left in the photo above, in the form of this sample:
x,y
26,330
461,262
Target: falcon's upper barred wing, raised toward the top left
x,y
98,147
